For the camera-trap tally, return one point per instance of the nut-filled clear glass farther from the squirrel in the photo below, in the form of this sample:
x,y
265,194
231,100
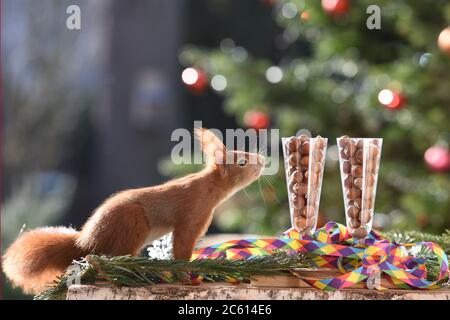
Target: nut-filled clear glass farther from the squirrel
x,y
359,160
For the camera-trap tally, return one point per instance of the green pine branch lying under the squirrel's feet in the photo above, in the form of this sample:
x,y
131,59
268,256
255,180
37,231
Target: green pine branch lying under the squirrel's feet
x,y
140,271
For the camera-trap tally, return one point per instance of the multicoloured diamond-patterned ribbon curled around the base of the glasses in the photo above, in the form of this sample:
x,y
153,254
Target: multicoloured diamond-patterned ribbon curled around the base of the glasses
x,y
334,247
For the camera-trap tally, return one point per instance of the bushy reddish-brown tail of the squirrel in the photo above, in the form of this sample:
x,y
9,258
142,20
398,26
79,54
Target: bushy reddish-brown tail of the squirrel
x,y
38,256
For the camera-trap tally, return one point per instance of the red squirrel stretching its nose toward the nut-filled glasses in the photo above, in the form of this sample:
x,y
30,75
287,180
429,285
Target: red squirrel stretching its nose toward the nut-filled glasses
x,y
128,220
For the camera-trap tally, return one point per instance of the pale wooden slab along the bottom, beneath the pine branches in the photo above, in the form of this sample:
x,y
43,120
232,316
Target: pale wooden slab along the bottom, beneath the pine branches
x,y
243,292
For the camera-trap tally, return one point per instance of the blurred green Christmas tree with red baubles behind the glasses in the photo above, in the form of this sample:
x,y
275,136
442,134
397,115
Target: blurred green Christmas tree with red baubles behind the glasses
x,y
360,68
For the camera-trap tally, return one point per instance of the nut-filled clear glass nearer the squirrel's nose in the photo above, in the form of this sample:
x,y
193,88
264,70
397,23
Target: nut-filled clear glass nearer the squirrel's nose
x,y
304,159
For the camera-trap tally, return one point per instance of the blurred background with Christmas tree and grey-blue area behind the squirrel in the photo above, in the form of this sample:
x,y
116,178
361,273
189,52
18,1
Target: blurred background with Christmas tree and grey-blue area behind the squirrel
x,y
89,112
